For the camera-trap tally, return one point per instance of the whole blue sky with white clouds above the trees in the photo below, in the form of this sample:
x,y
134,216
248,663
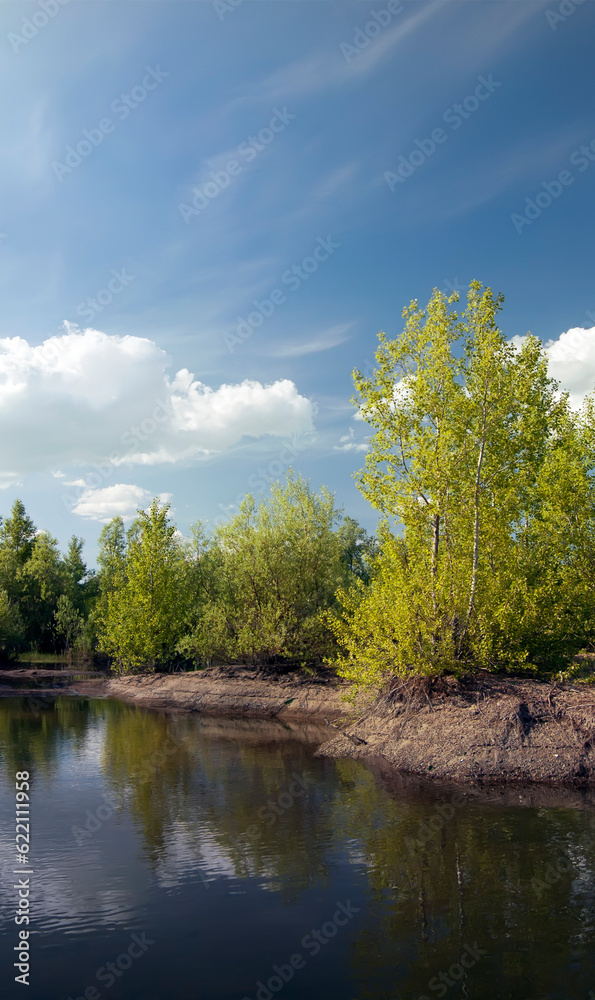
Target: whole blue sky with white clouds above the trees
x,y
208,211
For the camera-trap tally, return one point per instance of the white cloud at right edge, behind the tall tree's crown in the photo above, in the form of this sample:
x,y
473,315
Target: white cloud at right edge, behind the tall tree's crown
x,y
571,362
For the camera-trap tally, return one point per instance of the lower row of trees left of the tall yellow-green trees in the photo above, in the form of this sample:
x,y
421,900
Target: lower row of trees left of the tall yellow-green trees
x,y
253,590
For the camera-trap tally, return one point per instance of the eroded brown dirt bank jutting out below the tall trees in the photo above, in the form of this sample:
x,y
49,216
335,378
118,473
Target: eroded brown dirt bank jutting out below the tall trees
x,y
482,729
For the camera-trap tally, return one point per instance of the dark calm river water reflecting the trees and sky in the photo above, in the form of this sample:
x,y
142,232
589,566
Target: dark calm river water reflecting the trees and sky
x,y
175,856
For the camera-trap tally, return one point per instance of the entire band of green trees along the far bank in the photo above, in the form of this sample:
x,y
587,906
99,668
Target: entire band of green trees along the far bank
x,y
485,479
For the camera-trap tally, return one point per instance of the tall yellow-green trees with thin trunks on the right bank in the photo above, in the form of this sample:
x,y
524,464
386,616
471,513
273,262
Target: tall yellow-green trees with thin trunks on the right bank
x,y
490,477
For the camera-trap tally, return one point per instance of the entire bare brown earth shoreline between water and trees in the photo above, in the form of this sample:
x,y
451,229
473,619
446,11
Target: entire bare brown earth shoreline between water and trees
x,y
483,729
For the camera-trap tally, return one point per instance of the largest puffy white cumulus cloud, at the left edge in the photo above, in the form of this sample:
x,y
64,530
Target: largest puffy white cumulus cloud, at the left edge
x,y
87,397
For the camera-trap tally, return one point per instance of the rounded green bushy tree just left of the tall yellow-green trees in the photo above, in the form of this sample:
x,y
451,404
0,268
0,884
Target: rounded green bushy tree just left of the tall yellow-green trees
x,y
266,577
